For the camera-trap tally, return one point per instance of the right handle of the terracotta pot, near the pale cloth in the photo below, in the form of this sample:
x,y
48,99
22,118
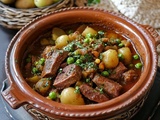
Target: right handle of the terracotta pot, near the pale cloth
x,y
153,33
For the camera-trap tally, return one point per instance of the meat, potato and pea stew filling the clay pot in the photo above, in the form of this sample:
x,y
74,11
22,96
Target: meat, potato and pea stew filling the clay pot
x,y
83,65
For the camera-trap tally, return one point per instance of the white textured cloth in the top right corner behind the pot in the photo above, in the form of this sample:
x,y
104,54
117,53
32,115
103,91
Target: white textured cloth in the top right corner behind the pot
x,y
142,11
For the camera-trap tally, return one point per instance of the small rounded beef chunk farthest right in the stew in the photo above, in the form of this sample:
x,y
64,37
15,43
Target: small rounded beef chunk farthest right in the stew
x,y
129,75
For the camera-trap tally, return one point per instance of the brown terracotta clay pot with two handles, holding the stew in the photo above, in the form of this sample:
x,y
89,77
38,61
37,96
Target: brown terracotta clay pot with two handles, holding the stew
x,y
125,106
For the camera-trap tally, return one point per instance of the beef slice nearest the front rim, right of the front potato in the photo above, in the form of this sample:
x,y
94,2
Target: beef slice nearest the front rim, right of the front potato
x,y
92,94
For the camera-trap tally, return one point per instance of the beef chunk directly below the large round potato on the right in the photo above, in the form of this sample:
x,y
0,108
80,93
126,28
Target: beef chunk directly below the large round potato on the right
x,y
118,71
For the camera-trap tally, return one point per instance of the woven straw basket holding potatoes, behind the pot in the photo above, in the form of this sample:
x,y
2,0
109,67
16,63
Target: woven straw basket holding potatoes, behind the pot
x,y
13,18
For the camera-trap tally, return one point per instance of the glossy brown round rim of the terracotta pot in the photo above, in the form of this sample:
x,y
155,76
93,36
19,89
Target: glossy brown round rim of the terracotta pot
x,y
137,92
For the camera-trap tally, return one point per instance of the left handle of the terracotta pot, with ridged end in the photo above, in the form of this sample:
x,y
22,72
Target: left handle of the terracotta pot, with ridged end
x,y
12,96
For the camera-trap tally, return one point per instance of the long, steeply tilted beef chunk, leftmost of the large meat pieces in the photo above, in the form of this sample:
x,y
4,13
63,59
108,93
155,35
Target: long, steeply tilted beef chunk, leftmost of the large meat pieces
x,y
53,62
